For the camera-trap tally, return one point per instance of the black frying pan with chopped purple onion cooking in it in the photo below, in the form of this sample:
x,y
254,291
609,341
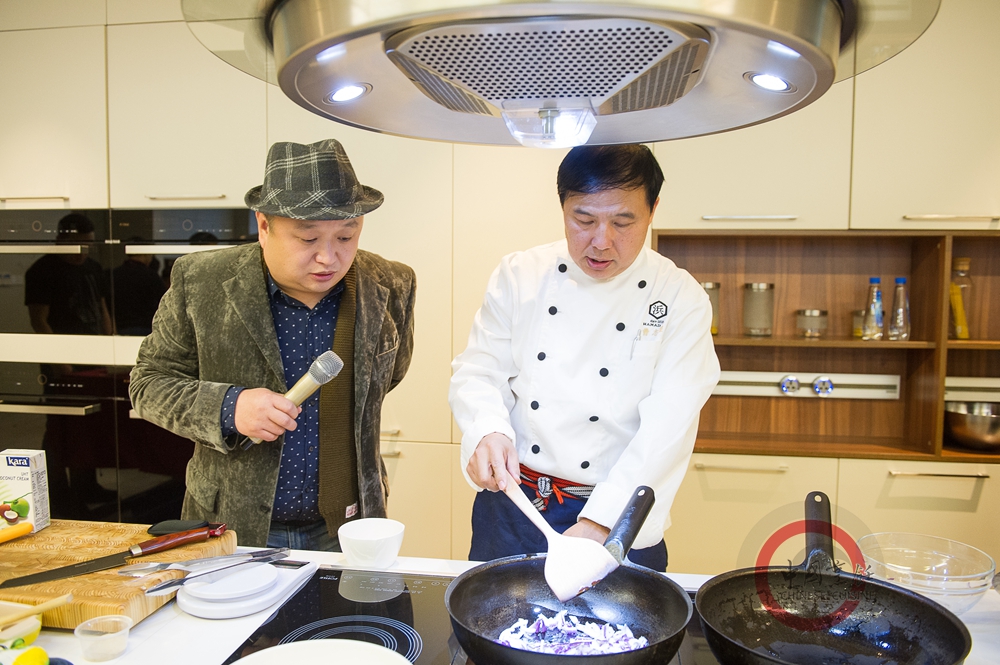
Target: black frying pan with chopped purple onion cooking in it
x,y
486,600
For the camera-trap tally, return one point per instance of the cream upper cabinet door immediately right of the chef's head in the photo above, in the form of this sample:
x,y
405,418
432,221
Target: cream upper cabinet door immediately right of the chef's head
x,y
792,173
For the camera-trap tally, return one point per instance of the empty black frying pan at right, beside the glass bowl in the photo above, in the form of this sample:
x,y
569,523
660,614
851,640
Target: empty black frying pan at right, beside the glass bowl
x,y
817,614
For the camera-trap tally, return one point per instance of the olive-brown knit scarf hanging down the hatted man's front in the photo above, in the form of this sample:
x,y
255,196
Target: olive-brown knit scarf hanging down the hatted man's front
x,y
338,458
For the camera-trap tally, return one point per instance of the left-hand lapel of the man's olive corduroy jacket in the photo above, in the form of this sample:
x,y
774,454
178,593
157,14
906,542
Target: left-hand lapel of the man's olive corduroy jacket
x,y
247,291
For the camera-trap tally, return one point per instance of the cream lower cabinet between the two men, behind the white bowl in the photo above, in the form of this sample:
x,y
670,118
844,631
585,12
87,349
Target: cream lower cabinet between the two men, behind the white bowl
x,y
420,496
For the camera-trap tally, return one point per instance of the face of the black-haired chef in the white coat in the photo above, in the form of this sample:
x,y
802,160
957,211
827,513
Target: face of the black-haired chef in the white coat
x,y
606,230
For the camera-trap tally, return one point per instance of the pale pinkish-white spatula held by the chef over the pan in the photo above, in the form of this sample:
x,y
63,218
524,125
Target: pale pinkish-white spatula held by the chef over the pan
x,y
572,565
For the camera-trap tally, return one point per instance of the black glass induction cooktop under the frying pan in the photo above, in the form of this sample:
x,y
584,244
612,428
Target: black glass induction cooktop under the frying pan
x,y
403,612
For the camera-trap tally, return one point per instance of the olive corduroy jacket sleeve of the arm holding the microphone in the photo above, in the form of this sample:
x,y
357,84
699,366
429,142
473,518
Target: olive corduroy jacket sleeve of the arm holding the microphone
x,y
164,385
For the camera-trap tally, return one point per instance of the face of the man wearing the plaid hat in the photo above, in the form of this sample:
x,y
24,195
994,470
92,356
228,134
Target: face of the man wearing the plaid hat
x,y
307,258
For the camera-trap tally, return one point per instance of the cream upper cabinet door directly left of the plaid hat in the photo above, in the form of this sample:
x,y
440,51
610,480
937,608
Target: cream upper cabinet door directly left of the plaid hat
x,y
186,129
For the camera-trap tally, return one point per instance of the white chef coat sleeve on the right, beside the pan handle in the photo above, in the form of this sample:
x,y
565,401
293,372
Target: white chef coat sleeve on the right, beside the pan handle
x,y
685,374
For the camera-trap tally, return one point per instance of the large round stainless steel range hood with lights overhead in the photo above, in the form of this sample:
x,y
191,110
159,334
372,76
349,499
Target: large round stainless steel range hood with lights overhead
x,y
552,73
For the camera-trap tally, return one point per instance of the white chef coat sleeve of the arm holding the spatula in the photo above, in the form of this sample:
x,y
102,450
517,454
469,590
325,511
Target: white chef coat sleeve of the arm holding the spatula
x,y
480,395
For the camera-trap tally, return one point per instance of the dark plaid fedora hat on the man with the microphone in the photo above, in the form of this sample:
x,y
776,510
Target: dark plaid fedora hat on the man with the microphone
x,y
314,181
